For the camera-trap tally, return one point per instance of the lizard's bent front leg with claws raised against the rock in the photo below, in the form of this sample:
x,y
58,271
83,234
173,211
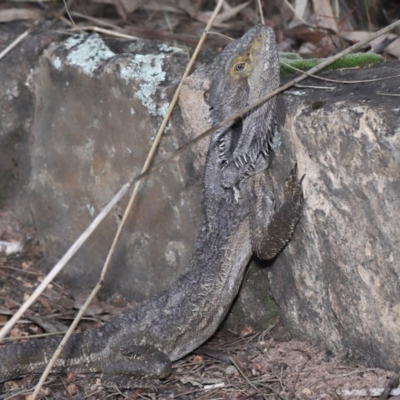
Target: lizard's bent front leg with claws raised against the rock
x,y
270,229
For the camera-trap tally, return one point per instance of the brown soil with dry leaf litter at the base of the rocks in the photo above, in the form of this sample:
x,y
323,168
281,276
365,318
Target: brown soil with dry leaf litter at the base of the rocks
x,y
267,365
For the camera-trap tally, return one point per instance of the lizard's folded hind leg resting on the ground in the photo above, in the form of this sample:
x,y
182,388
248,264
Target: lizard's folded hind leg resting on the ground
x,y
138,367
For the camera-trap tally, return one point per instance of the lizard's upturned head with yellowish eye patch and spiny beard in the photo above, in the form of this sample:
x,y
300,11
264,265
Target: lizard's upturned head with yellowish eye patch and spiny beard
x,y
248,70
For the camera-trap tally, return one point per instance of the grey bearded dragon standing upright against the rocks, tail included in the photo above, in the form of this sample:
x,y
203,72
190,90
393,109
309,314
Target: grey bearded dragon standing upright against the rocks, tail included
x,y
137,349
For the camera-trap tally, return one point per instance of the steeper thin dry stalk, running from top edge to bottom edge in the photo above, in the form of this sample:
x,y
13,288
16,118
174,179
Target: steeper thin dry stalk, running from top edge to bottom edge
x,y
128,208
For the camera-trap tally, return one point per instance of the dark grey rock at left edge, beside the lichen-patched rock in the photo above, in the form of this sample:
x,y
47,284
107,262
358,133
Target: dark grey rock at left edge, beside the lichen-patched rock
x,y
16,115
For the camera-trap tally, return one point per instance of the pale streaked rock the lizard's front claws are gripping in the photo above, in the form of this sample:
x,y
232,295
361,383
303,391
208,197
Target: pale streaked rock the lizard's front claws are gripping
x,y
337,282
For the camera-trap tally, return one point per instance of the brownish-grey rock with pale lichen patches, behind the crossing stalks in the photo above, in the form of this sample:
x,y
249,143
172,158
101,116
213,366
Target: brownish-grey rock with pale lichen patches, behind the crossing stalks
x,y
99,105
